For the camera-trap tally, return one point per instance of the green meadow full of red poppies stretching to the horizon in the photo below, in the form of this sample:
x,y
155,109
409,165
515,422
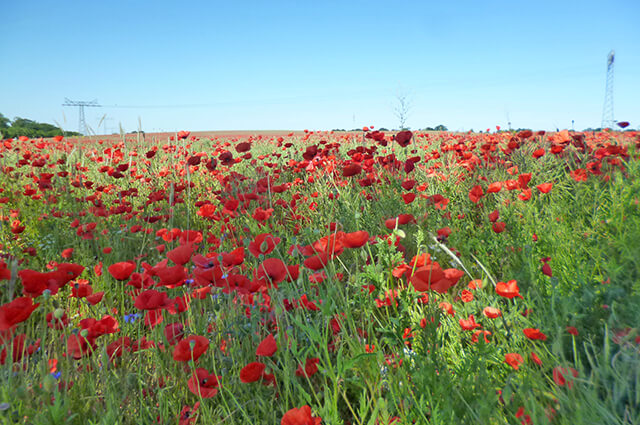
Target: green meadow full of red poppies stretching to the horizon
x,y
356,278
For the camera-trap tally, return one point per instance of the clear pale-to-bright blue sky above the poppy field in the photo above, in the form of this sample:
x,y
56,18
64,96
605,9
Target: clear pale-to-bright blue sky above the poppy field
x,y
319,65
